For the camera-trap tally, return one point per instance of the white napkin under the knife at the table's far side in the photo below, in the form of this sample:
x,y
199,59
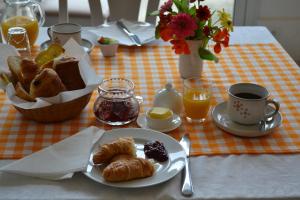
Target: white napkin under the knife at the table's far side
x,y
145,32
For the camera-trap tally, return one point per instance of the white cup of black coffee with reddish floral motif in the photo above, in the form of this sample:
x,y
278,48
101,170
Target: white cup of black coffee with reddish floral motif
x,y
247,103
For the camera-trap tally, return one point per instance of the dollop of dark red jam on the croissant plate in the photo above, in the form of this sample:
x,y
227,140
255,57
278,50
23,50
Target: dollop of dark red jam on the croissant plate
x,y
156,150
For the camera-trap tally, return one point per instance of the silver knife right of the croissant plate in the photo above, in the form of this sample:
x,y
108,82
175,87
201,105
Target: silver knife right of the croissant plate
x,y
187,186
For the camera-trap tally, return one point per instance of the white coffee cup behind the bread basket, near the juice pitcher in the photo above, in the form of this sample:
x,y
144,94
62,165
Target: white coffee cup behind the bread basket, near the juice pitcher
x,y
61,33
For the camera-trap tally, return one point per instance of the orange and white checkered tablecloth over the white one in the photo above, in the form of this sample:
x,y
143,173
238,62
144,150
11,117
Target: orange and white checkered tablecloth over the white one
x,y
150,67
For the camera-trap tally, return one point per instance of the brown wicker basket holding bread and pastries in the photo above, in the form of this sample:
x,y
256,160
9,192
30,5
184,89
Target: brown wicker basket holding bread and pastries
x,y
56,112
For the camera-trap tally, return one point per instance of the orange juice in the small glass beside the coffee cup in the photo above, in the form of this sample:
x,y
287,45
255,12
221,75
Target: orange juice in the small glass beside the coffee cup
x,y
196,103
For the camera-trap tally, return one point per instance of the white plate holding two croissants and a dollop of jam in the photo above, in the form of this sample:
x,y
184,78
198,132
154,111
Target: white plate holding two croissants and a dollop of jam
x,y
164,171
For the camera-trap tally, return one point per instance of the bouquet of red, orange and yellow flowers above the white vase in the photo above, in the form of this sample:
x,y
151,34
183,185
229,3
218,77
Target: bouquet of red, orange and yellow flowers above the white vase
x,y
189,20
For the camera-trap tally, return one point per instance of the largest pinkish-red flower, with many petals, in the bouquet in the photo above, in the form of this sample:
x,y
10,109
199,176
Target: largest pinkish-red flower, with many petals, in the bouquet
x,y
183,25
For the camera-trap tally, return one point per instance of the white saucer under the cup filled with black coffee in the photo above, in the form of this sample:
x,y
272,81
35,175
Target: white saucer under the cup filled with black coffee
x,y
222,120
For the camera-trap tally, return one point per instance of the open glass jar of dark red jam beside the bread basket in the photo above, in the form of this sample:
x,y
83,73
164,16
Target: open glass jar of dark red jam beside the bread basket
x,y
116,103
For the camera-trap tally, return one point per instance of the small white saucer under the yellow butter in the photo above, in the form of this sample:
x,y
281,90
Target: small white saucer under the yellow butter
x,y
142,122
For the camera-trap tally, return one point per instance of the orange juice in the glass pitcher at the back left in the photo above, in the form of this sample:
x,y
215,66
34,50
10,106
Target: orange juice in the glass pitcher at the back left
x,y
31,26
